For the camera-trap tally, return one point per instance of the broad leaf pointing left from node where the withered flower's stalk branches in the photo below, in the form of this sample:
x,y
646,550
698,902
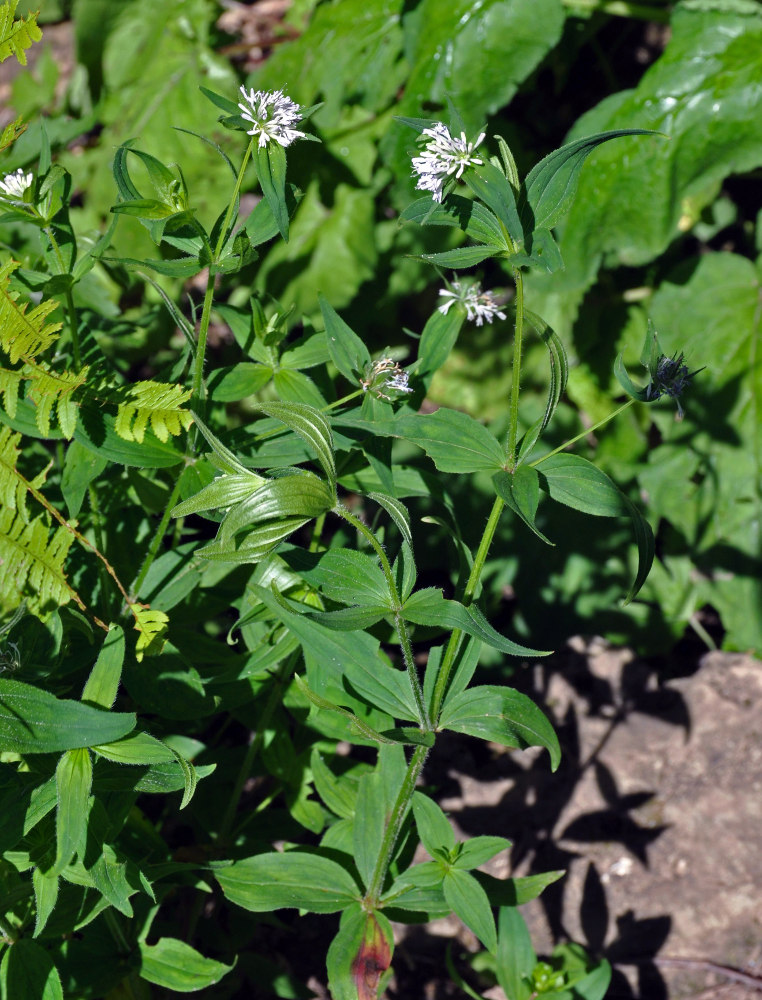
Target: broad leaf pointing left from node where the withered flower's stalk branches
x,y
454,441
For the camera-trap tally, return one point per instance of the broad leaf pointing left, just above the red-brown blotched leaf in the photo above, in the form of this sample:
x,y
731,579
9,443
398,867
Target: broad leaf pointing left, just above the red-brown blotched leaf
x,y
292,879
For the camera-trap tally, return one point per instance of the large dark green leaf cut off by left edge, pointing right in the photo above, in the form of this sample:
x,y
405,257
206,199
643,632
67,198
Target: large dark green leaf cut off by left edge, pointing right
x,y
35,721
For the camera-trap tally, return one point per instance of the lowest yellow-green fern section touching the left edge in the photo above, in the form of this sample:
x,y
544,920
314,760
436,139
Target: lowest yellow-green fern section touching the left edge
x,y
31,563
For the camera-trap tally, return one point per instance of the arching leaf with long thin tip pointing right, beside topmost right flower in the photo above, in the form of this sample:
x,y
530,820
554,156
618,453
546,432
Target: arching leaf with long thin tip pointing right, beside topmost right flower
x,y
549,188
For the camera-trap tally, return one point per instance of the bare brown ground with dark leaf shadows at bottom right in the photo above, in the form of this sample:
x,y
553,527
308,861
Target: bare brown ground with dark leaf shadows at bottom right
x,y
655,813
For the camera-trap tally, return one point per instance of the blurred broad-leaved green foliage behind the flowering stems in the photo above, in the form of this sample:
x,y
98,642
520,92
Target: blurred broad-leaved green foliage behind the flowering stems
x,y
668,231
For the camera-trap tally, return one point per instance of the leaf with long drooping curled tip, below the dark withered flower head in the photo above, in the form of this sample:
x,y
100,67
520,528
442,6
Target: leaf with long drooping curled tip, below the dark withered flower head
x,y
577,483
